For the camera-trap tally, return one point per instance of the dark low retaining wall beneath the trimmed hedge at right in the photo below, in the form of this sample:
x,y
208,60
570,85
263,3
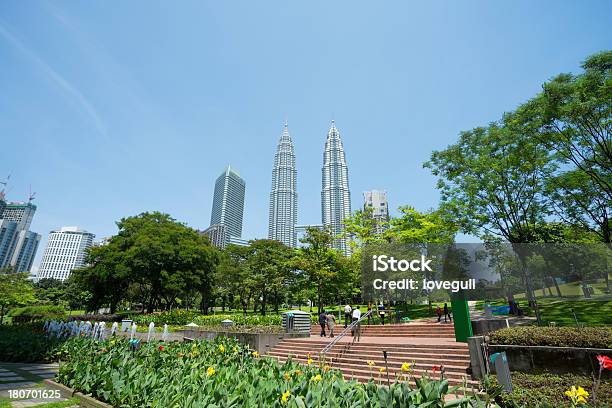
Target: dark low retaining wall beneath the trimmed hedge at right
x,y
558,360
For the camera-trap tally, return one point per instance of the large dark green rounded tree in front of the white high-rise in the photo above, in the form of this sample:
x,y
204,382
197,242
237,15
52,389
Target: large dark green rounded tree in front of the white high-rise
x,y
163,258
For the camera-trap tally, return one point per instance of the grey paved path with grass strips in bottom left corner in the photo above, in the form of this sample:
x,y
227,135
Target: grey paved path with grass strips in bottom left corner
x,y
17,376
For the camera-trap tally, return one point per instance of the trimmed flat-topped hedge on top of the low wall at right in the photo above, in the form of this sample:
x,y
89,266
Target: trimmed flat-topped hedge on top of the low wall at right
x,y
594,337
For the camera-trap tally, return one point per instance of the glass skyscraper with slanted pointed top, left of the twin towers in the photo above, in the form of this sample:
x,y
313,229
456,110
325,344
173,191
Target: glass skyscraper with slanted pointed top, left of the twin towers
x,y
228,203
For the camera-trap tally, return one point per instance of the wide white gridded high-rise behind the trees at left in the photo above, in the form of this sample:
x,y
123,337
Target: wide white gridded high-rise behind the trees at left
x,y
66,250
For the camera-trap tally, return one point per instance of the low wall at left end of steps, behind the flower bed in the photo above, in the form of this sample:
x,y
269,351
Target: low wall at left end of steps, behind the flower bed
x,y
262,342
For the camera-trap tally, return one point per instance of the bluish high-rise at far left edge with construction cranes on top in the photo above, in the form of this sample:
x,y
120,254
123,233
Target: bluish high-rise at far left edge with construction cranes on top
x,y
18,245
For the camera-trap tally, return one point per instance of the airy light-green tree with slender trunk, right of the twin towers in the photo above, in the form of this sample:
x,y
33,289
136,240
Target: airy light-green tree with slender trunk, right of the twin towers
x,y
493,180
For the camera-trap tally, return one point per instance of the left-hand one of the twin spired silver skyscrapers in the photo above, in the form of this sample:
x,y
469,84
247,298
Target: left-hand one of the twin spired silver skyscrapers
x,y
283,197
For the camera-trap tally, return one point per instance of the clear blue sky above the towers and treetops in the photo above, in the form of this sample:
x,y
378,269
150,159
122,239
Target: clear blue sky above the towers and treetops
x,y
108,109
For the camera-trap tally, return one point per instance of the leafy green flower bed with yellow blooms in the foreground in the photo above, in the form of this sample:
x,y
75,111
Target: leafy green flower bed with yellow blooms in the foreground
x,y
222,373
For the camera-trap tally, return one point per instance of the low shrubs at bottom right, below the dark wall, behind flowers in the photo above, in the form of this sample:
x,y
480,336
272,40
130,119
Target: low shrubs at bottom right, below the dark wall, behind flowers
x,y
548,390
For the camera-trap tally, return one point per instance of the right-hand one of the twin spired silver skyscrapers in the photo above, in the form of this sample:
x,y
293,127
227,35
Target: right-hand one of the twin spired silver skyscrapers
x,y
335,193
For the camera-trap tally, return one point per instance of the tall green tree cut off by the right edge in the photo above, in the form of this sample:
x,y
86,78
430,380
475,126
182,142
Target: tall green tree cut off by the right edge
x,y
571,117
